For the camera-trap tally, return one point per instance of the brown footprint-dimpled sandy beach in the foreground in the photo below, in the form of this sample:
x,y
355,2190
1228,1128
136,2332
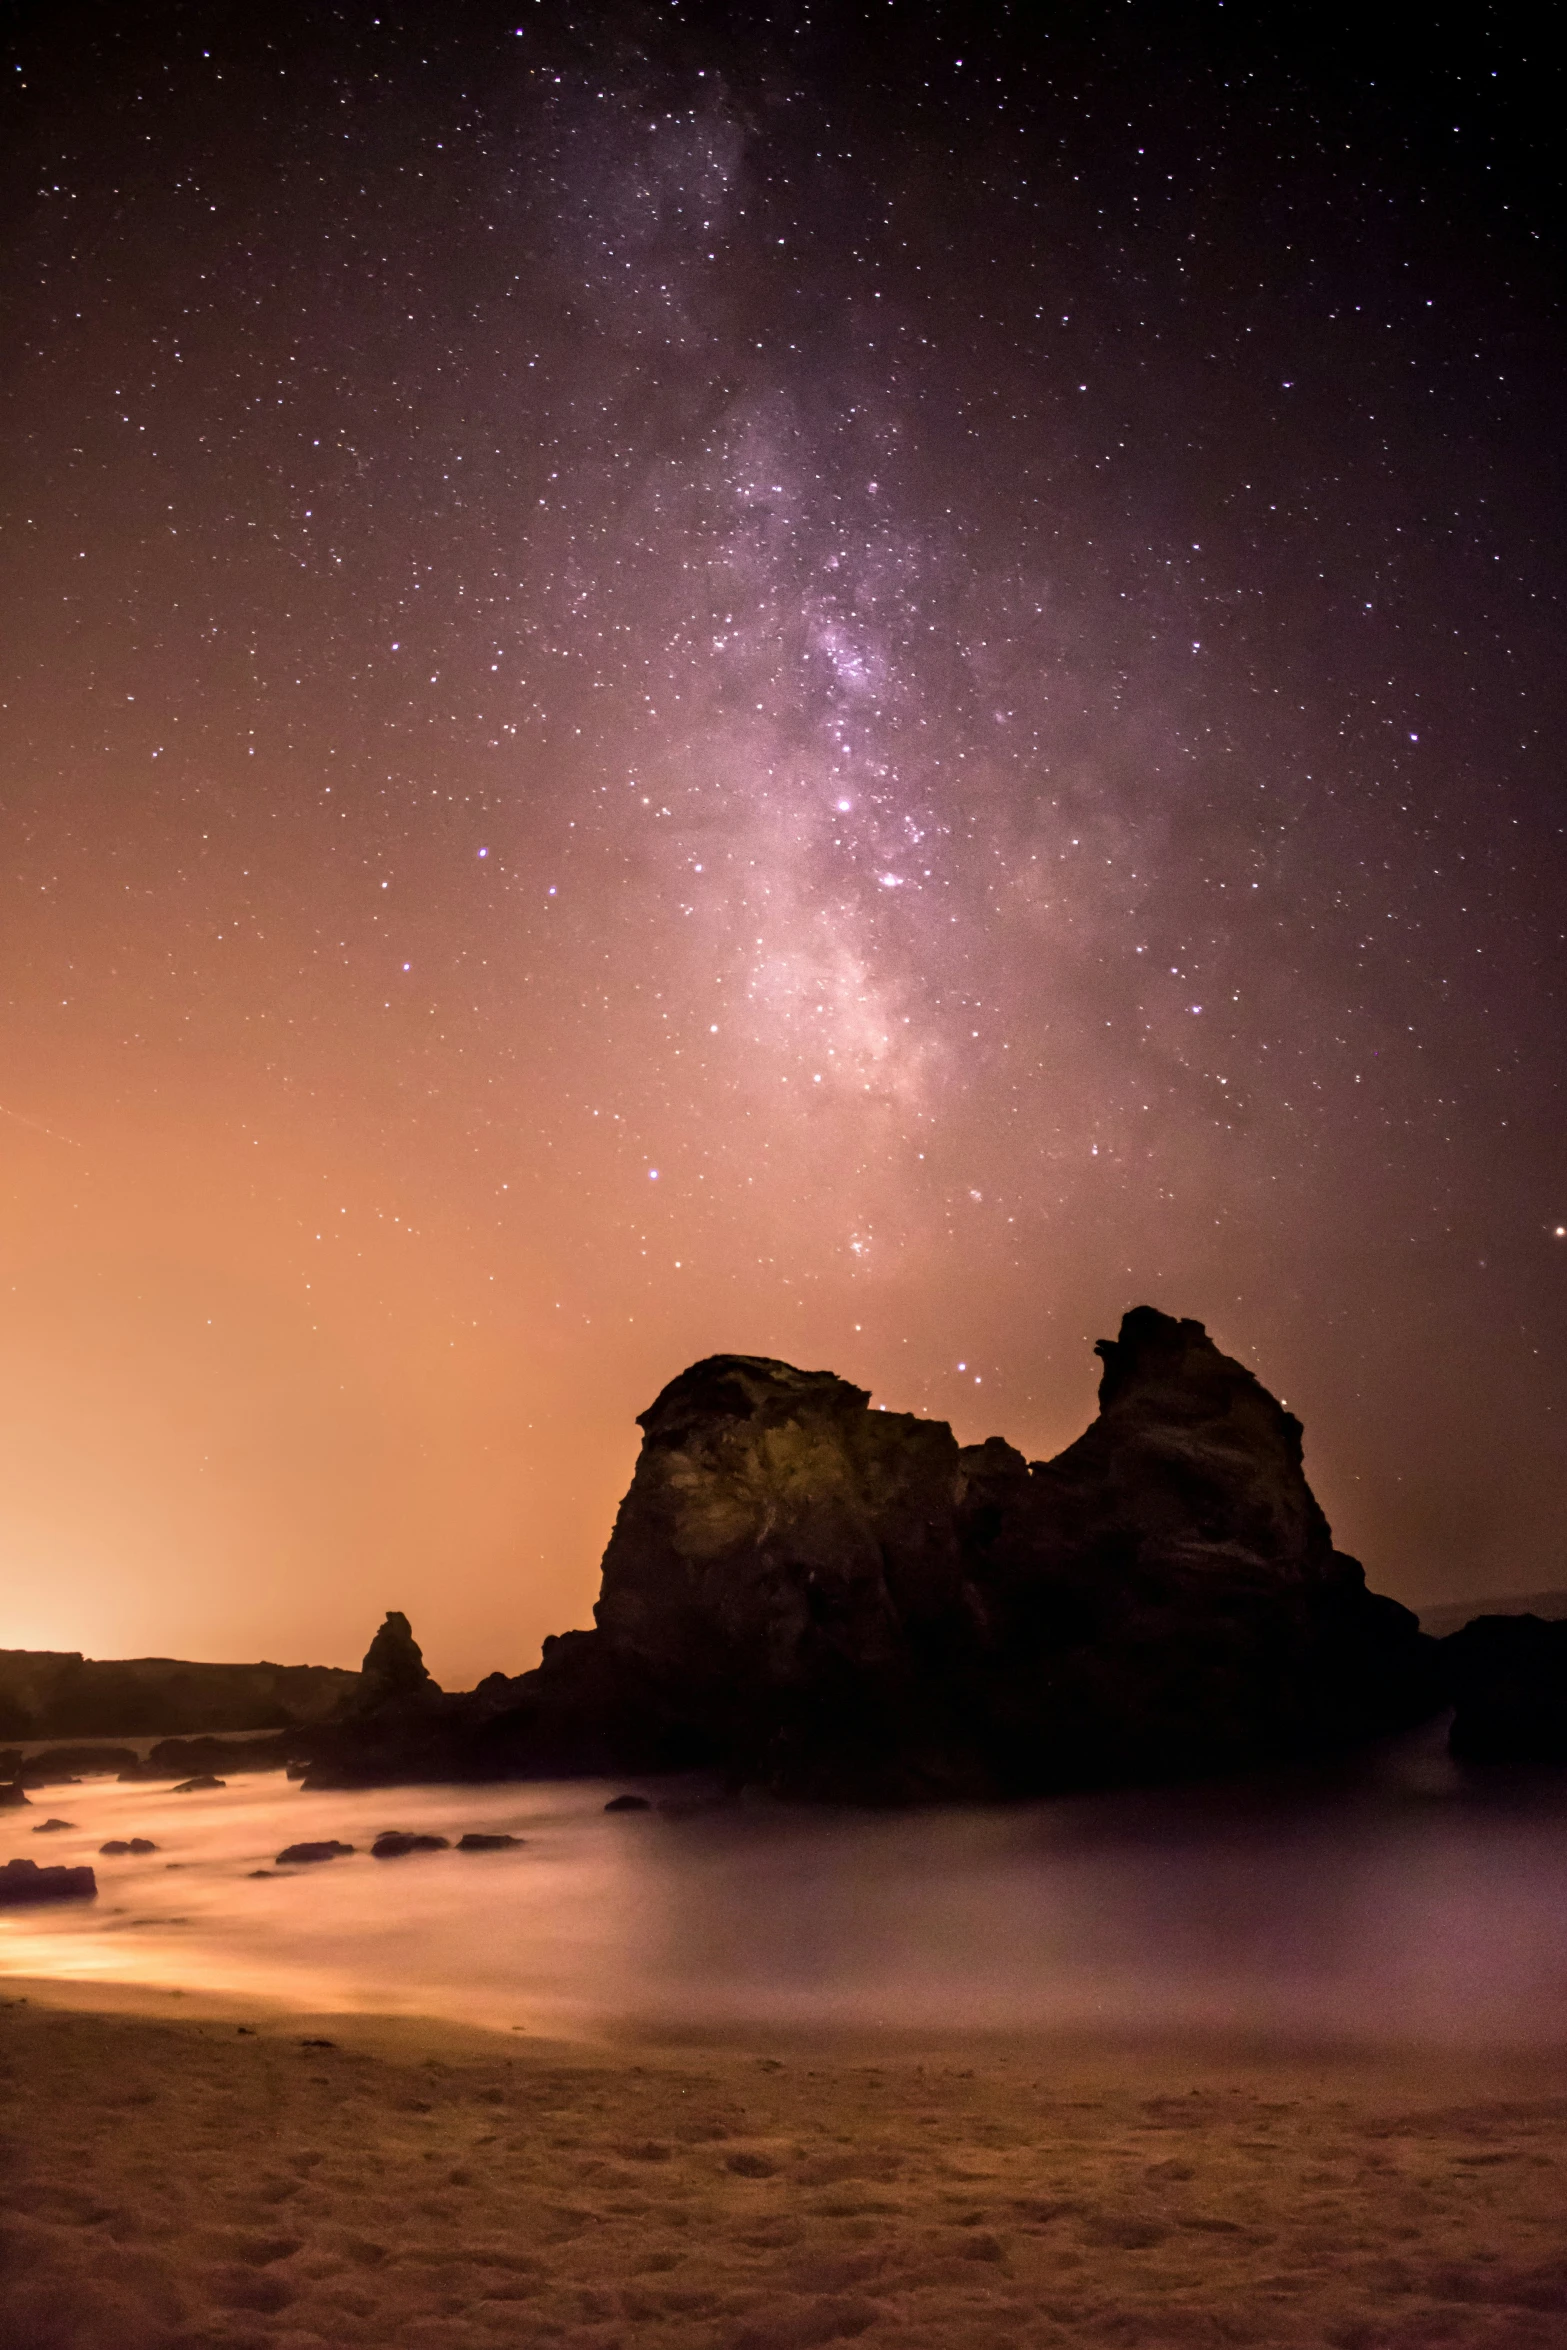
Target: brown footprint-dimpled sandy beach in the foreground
x,y
196,2187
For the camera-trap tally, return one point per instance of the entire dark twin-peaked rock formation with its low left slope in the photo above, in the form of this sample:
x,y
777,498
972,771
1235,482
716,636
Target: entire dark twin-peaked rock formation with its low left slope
x,y
847,1604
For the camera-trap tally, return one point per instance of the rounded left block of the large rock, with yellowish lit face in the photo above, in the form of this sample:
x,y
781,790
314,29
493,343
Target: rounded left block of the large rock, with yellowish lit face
x,y
786,1559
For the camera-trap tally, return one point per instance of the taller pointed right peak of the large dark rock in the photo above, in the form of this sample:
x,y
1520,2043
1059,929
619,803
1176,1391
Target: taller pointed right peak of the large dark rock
x,y
1166,1594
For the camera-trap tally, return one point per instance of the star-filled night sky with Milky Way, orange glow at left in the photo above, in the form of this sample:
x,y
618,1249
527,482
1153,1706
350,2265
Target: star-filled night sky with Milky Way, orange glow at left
x,y
835,683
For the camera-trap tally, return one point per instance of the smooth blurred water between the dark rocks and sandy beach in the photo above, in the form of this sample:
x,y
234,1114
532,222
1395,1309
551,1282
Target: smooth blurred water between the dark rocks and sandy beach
x,y
1394,1902
